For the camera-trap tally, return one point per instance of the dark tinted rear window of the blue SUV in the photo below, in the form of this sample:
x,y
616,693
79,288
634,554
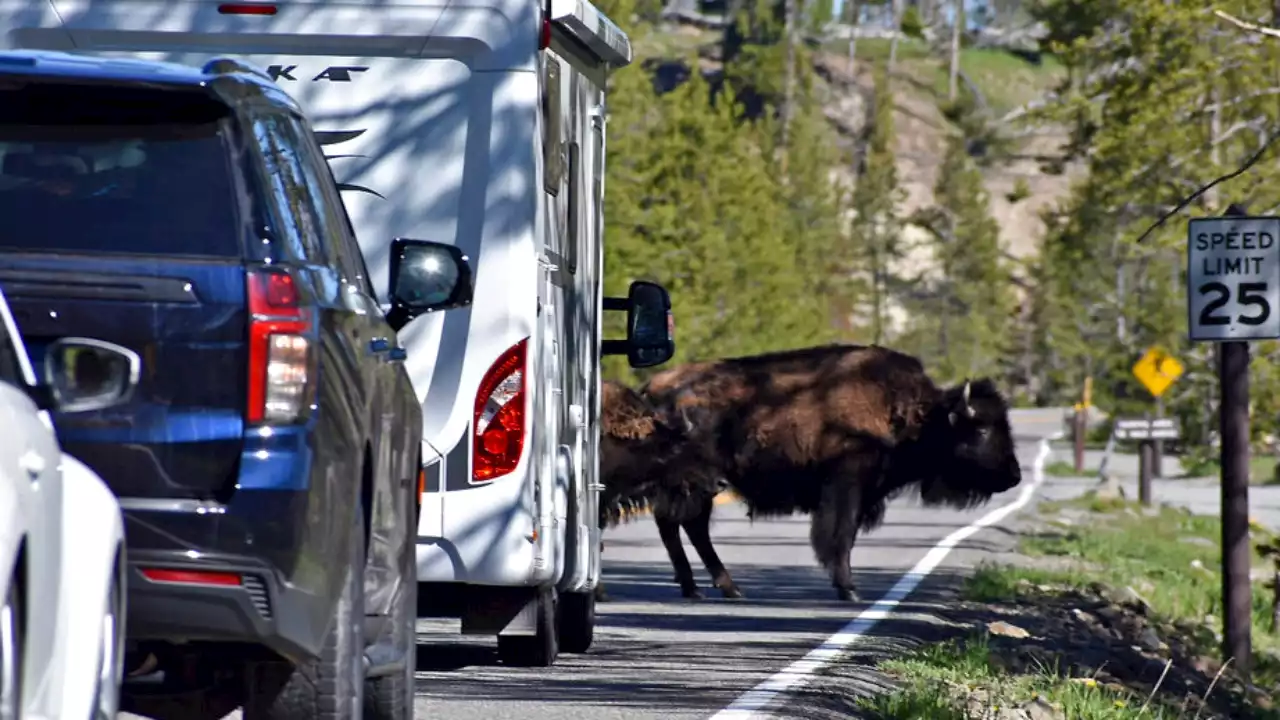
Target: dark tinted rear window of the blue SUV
x,y
98,170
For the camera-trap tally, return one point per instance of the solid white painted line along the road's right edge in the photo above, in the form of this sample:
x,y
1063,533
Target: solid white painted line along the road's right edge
x,y
793,677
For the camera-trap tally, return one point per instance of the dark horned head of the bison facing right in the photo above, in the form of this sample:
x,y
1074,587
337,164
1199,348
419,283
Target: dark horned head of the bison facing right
x,y
973,454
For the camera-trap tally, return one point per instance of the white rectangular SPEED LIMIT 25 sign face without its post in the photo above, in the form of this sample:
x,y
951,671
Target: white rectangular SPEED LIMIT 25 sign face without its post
x,y
1233,279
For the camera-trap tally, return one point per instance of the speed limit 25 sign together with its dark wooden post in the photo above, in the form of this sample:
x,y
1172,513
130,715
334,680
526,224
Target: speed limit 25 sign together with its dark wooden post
x,y
1233,293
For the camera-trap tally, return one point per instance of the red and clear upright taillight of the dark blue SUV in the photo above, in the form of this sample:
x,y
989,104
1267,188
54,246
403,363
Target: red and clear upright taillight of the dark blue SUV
x,y
281,368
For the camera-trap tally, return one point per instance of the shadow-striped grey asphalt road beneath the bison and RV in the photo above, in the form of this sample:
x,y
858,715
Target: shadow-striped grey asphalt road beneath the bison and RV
x,y
660,657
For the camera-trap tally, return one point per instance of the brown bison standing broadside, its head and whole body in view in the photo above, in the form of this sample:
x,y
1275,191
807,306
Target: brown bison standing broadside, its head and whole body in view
x,y
835,432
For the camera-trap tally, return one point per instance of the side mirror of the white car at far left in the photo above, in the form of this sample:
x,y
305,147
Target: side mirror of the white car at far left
x,y
85,375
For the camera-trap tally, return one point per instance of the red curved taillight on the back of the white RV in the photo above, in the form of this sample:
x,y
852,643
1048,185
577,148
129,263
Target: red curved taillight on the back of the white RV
x,y
499,423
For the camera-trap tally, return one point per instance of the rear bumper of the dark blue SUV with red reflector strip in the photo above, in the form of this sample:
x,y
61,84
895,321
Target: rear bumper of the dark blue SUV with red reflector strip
x,y
234,573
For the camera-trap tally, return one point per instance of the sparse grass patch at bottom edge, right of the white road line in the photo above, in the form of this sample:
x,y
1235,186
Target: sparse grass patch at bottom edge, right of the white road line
x,y
940,676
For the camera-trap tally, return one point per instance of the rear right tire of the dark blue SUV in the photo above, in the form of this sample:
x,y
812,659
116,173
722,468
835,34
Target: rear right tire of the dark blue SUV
x,y
332,687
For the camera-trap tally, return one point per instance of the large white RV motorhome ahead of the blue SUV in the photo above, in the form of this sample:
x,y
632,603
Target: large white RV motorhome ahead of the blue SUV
x,y
479,124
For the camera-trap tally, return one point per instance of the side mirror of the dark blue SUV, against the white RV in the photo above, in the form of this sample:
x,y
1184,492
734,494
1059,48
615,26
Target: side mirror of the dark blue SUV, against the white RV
x,y
427,277
